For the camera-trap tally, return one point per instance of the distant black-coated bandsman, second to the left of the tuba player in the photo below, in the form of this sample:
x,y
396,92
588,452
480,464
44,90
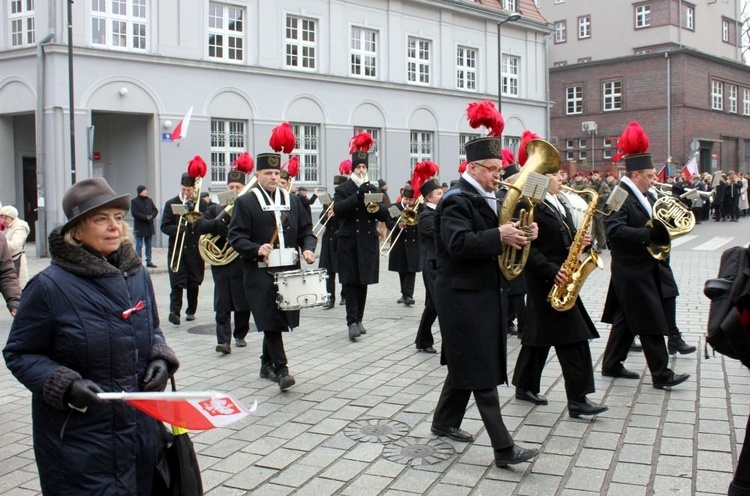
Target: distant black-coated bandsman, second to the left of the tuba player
x,y
404,255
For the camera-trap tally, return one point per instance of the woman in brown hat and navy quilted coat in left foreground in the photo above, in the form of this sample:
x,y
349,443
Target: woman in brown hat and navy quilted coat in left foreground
x,y
88,323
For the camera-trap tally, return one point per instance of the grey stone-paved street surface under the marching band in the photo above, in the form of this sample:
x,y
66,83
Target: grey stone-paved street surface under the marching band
x,y
358,420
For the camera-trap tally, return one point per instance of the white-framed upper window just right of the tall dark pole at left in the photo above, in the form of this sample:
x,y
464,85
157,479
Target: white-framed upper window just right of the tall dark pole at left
x,y
119,24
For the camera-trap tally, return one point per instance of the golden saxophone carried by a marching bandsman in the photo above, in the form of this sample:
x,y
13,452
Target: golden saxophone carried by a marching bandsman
x,y
562,297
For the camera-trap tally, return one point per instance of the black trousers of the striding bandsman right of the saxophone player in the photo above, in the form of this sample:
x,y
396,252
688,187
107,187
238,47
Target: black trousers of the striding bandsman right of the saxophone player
x,y
618,344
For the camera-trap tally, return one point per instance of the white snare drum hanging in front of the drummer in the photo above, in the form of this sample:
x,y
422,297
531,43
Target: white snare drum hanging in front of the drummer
x,y
301,289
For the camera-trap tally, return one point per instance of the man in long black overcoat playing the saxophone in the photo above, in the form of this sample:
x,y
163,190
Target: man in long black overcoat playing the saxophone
x,y
569,331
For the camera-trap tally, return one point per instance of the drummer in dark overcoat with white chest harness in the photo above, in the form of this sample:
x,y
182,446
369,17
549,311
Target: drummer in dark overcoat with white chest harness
x,y
263,218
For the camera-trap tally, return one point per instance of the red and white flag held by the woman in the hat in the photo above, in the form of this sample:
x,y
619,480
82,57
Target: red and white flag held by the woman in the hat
x,y
197,411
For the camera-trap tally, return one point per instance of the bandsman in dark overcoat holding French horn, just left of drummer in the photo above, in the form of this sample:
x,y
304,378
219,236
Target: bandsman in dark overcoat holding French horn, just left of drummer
x,y
229,291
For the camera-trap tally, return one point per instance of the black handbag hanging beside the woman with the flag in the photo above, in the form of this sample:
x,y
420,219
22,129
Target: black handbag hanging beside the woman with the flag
x,y
177,472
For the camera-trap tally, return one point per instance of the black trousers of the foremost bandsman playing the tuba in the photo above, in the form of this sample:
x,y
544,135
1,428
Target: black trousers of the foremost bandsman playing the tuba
x,y
452,404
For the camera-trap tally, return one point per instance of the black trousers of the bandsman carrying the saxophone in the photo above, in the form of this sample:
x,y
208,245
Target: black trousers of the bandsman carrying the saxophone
x,y
575,361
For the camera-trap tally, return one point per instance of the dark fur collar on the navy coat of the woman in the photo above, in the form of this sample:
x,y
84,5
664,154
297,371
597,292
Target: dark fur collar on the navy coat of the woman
x,y
83,263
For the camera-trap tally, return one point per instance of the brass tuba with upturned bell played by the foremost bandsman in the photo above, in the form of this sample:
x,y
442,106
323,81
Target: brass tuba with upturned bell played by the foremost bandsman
x,y
543,159
